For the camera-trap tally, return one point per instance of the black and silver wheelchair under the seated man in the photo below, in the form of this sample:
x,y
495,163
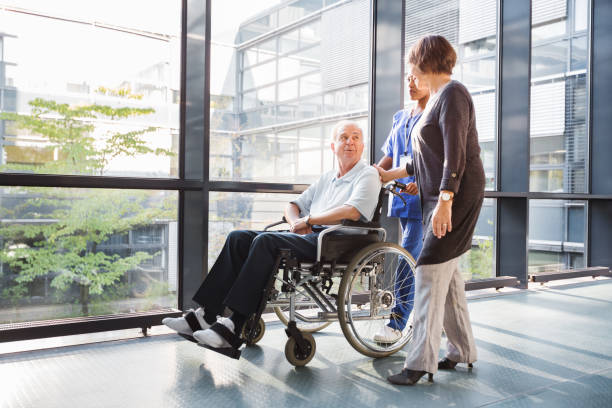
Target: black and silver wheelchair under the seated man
x,y
311,279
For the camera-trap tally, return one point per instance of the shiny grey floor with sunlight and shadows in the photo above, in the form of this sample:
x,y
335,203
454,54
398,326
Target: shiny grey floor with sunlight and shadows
x,y
543,348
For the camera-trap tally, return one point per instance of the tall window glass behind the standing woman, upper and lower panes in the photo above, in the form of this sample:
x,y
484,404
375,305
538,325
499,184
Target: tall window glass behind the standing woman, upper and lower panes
x,y
471,27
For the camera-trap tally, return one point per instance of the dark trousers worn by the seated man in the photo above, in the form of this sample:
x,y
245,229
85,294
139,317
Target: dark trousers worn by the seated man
x,y
244,266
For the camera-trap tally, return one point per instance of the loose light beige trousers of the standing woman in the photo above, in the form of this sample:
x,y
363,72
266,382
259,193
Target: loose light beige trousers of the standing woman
x,y
440,301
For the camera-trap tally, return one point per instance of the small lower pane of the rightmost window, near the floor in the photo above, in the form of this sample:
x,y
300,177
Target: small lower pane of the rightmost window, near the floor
x,y
556,235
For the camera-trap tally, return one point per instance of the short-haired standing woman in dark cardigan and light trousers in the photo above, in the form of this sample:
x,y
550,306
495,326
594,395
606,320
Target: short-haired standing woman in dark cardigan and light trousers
x,y
450,179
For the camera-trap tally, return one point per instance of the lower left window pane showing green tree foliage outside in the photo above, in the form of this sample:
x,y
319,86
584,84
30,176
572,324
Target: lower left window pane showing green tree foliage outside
x,y
86,252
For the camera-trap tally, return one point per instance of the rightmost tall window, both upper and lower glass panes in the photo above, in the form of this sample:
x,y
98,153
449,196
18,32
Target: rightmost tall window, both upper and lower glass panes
x,y
558,130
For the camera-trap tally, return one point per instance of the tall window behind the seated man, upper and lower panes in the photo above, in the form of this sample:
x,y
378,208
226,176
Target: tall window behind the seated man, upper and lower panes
x,y
283,73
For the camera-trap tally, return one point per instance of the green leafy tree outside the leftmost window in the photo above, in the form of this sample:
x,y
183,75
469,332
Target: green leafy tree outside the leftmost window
x,y
65,226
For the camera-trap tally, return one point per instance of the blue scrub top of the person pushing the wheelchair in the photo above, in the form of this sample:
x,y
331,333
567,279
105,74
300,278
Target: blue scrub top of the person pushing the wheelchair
x,y
398,143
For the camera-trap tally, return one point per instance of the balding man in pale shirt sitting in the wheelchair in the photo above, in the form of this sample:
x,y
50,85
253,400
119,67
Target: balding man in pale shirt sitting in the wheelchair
x,y
244,267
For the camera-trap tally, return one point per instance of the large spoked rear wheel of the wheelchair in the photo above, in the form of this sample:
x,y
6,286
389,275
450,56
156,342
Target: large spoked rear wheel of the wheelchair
x,y
378,282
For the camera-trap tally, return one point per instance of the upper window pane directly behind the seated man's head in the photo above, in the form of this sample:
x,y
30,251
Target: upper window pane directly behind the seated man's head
x,y
298,79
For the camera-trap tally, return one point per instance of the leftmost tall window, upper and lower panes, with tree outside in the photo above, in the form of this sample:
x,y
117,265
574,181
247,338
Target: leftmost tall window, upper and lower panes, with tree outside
x,y
88,89
